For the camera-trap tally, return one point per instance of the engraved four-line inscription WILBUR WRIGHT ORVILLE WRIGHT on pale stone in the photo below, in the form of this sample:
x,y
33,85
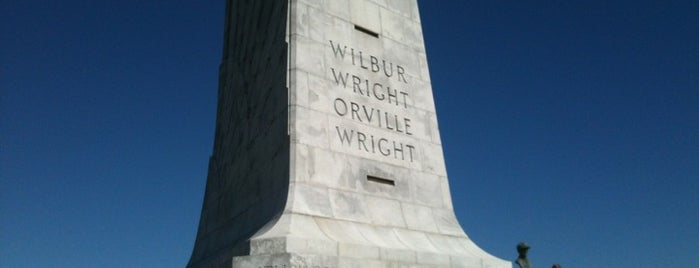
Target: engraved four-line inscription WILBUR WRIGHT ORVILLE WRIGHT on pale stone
x,y
374,94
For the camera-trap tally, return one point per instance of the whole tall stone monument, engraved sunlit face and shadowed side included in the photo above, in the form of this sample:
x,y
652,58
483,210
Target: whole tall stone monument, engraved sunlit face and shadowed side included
x,y
327,152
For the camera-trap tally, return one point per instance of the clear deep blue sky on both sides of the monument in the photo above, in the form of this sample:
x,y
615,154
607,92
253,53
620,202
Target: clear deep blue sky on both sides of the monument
x,y
571,125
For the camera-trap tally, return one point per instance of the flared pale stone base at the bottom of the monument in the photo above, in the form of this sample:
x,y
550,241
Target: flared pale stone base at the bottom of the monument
x,y
329,243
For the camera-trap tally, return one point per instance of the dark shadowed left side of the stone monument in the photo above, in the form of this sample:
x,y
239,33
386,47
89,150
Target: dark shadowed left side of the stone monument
x,y
248,178
